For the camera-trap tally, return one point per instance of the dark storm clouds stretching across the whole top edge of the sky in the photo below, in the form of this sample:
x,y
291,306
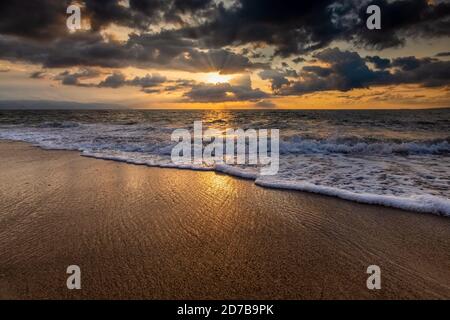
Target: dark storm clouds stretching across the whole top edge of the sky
x,y
290,26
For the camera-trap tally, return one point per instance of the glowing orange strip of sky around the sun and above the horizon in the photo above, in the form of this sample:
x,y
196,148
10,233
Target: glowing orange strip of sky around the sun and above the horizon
x,y
17,82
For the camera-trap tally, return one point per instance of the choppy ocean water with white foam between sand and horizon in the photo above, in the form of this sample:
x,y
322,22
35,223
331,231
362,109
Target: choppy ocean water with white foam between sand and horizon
x,y
393,158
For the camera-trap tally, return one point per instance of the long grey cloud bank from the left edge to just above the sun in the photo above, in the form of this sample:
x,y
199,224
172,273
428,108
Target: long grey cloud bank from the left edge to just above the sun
x,y
163,51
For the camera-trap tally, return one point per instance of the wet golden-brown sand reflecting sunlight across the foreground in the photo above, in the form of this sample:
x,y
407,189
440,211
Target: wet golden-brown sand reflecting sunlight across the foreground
x,y
139,232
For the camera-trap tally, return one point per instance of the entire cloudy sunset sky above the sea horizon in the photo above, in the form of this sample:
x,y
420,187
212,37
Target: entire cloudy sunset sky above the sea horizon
x,y
225,54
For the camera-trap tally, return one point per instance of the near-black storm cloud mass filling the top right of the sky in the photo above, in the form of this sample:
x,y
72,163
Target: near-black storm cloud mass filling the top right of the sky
x,y
297,27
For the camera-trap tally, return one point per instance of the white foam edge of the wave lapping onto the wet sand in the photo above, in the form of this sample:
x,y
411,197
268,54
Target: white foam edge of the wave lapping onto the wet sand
x,y
425,204
